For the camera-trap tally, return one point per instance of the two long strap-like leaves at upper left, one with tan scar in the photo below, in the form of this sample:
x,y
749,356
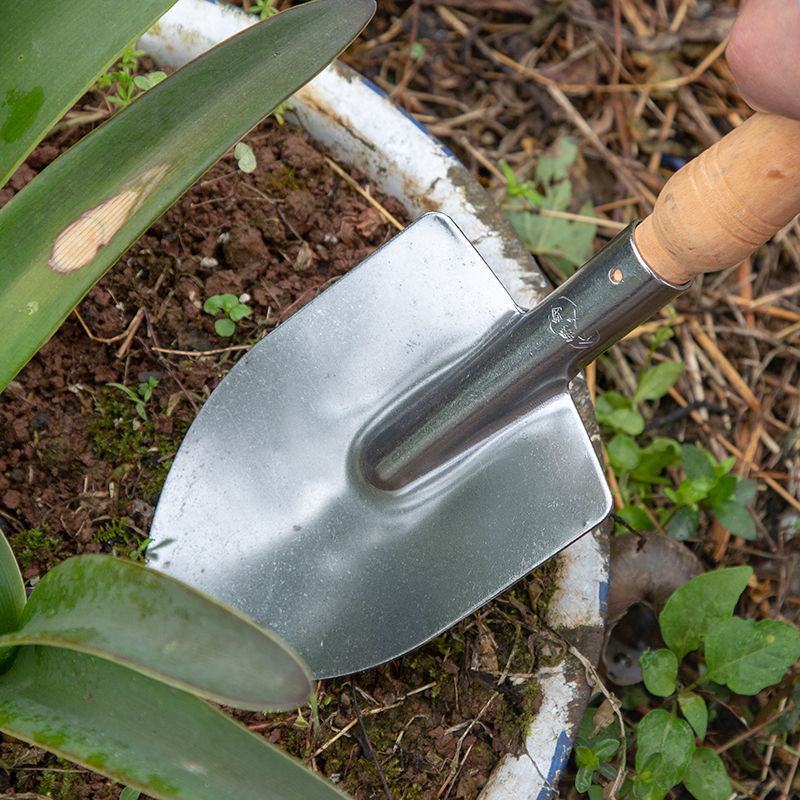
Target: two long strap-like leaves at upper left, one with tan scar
x,y
61,233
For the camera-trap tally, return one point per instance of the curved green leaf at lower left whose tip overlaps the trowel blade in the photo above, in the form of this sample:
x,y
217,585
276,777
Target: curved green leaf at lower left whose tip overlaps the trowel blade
x,y
156,625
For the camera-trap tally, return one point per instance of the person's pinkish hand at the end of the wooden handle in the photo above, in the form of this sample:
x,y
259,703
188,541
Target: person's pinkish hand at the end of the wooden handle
x,y
764,55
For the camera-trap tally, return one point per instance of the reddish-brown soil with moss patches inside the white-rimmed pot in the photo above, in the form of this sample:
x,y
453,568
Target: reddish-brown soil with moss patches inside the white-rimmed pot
x,y
81,468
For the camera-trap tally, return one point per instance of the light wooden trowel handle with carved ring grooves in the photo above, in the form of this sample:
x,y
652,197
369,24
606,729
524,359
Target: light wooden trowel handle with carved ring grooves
x,y
727,202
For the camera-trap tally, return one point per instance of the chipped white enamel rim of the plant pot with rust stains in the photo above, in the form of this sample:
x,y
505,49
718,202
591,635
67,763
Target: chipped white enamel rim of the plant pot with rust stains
x,y
354,120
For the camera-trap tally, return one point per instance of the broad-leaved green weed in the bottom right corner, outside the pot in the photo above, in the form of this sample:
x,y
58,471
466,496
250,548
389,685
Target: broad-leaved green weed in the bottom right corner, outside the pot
x,y
738,657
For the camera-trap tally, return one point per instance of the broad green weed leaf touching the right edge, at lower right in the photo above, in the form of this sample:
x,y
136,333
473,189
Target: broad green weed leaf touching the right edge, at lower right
x,y
747,656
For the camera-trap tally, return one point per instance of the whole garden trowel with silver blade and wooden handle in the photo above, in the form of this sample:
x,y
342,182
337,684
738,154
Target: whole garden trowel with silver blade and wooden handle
x,y
405,447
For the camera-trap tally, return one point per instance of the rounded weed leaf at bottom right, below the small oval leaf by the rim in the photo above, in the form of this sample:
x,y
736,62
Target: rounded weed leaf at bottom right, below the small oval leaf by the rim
x,y
663,734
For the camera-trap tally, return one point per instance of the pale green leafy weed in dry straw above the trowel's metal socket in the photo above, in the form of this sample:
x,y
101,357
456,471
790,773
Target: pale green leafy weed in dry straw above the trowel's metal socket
x,y
568,243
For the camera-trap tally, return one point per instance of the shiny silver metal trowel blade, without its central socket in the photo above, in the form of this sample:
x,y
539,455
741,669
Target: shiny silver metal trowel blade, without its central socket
x,y
267,506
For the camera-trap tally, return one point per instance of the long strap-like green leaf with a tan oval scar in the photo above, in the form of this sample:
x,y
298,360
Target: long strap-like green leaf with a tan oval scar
x,y
71,223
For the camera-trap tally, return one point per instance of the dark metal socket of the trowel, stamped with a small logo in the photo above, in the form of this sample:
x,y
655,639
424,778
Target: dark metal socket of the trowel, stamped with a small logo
x,y
528,358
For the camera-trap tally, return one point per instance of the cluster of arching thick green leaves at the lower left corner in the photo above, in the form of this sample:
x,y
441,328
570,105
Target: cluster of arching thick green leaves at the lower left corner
x,y
110,664
